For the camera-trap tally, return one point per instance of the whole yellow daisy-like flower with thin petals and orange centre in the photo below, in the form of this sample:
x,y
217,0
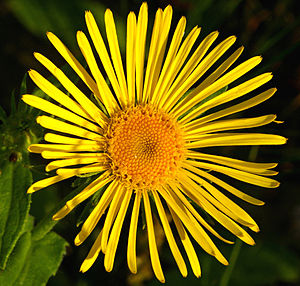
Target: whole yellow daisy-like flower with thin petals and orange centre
x,y
147,140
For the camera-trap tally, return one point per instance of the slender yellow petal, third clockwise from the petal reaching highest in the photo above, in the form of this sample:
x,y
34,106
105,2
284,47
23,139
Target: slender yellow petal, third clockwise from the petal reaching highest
x,y
174,46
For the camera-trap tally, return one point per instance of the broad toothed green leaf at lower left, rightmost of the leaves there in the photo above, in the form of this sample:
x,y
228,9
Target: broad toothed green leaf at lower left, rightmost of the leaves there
x,y
43,261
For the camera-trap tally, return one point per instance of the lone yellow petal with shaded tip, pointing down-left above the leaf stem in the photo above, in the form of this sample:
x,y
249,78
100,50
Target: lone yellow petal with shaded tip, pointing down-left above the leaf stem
x,y
87,192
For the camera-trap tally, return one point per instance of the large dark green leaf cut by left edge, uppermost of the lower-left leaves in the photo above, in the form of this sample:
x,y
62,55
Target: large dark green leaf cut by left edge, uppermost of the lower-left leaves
x,y
14,206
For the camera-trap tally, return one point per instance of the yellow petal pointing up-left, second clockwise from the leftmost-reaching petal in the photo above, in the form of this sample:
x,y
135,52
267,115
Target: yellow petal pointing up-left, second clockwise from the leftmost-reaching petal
x,y
87,104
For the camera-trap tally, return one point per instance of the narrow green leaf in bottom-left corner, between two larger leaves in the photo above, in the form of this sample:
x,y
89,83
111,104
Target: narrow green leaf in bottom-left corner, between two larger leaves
x,y
16,261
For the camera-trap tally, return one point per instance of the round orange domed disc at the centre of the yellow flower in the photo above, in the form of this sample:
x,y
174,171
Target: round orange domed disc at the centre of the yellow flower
x,y
145,146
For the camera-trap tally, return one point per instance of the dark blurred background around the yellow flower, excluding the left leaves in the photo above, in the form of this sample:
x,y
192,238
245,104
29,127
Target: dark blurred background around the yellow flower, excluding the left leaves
x,y
267,28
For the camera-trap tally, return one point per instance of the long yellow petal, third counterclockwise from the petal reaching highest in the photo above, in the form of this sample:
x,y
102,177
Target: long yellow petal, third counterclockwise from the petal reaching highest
x,y
102,52
